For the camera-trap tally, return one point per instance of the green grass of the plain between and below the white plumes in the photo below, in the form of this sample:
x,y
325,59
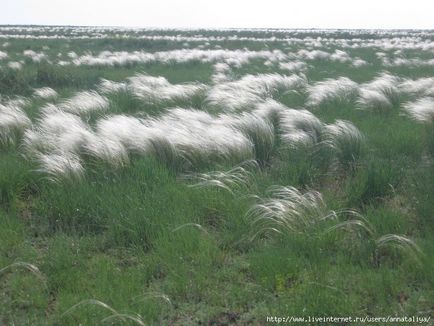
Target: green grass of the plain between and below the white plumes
x,y
157,250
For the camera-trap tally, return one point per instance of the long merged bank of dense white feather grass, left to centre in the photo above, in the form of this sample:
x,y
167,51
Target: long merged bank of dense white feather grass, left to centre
x,y
182,138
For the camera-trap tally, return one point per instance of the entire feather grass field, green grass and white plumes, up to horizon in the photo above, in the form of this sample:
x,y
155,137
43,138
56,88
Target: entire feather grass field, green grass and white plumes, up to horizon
x,y
214,177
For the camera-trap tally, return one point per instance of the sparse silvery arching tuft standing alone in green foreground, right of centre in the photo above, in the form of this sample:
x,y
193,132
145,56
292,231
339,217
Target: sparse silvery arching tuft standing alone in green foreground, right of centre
x,y
287,210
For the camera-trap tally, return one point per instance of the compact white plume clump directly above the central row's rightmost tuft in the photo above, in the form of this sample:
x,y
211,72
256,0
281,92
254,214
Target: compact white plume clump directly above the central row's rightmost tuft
x,y
342,89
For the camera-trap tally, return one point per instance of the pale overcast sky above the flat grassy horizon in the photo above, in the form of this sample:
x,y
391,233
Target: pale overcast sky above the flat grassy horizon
x,y
222,13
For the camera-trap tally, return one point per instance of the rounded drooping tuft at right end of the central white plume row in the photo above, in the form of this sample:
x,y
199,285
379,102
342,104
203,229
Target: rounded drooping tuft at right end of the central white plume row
x,y
345,141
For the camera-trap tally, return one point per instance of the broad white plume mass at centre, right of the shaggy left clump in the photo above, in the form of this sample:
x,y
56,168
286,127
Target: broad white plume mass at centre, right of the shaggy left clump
x,y
189,135
